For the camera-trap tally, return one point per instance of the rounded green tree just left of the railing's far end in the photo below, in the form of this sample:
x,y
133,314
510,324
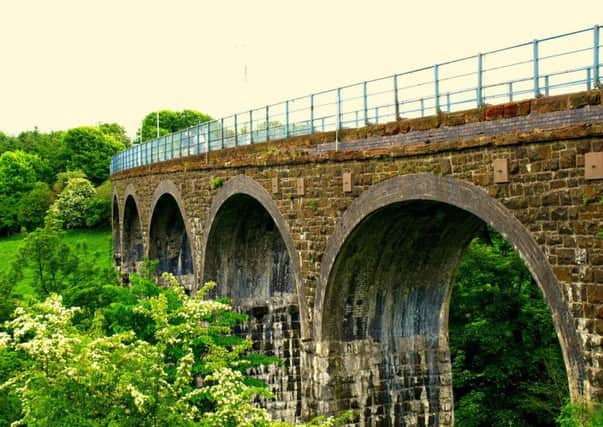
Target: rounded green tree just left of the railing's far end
x,y
90,150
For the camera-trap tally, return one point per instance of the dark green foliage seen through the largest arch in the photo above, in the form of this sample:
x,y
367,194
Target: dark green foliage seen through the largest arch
x,y
506,361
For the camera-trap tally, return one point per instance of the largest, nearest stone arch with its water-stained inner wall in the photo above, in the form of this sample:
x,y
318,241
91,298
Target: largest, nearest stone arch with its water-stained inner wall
x,y
406,235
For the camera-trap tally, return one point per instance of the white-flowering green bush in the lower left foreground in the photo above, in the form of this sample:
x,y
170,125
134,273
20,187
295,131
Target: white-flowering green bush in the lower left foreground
x,y
167,360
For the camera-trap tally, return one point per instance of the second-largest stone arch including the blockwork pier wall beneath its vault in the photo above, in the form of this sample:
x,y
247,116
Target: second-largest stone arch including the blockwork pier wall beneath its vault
x,y
249,252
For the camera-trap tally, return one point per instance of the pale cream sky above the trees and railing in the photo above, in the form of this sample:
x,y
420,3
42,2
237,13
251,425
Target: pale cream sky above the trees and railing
x,y
66,63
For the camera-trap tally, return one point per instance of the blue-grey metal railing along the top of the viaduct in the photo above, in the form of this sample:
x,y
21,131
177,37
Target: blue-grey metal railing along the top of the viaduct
x,y
540,67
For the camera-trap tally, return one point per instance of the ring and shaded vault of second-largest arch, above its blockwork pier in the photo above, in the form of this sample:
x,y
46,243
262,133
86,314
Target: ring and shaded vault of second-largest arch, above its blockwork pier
x,y
244,218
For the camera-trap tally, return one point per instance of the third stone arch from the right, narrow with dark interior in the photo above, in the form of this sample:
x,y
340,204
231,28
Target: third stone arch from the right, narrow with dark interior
x,y
170,234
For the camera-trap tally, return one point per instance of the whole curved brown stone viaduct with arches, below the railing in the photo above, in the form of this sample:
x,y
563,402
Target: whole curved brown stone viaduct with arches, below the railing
x,y
343,251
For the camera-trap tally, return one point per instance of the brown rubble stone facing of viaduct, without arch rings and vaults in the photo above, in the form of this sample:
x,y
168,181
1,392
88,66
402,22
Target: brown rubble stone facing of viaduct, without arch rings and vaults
x,y
544,141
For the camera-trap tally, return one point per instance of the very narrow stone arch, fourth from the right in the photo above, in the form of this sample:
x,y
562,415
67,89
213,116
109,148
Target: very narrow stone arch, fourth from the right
x,y
132,252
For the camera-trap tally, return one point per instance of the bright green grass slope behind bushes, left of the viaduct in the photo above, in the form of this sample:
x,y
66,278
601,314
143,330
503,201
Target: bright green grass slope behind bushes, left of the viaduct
x,y
98,243
